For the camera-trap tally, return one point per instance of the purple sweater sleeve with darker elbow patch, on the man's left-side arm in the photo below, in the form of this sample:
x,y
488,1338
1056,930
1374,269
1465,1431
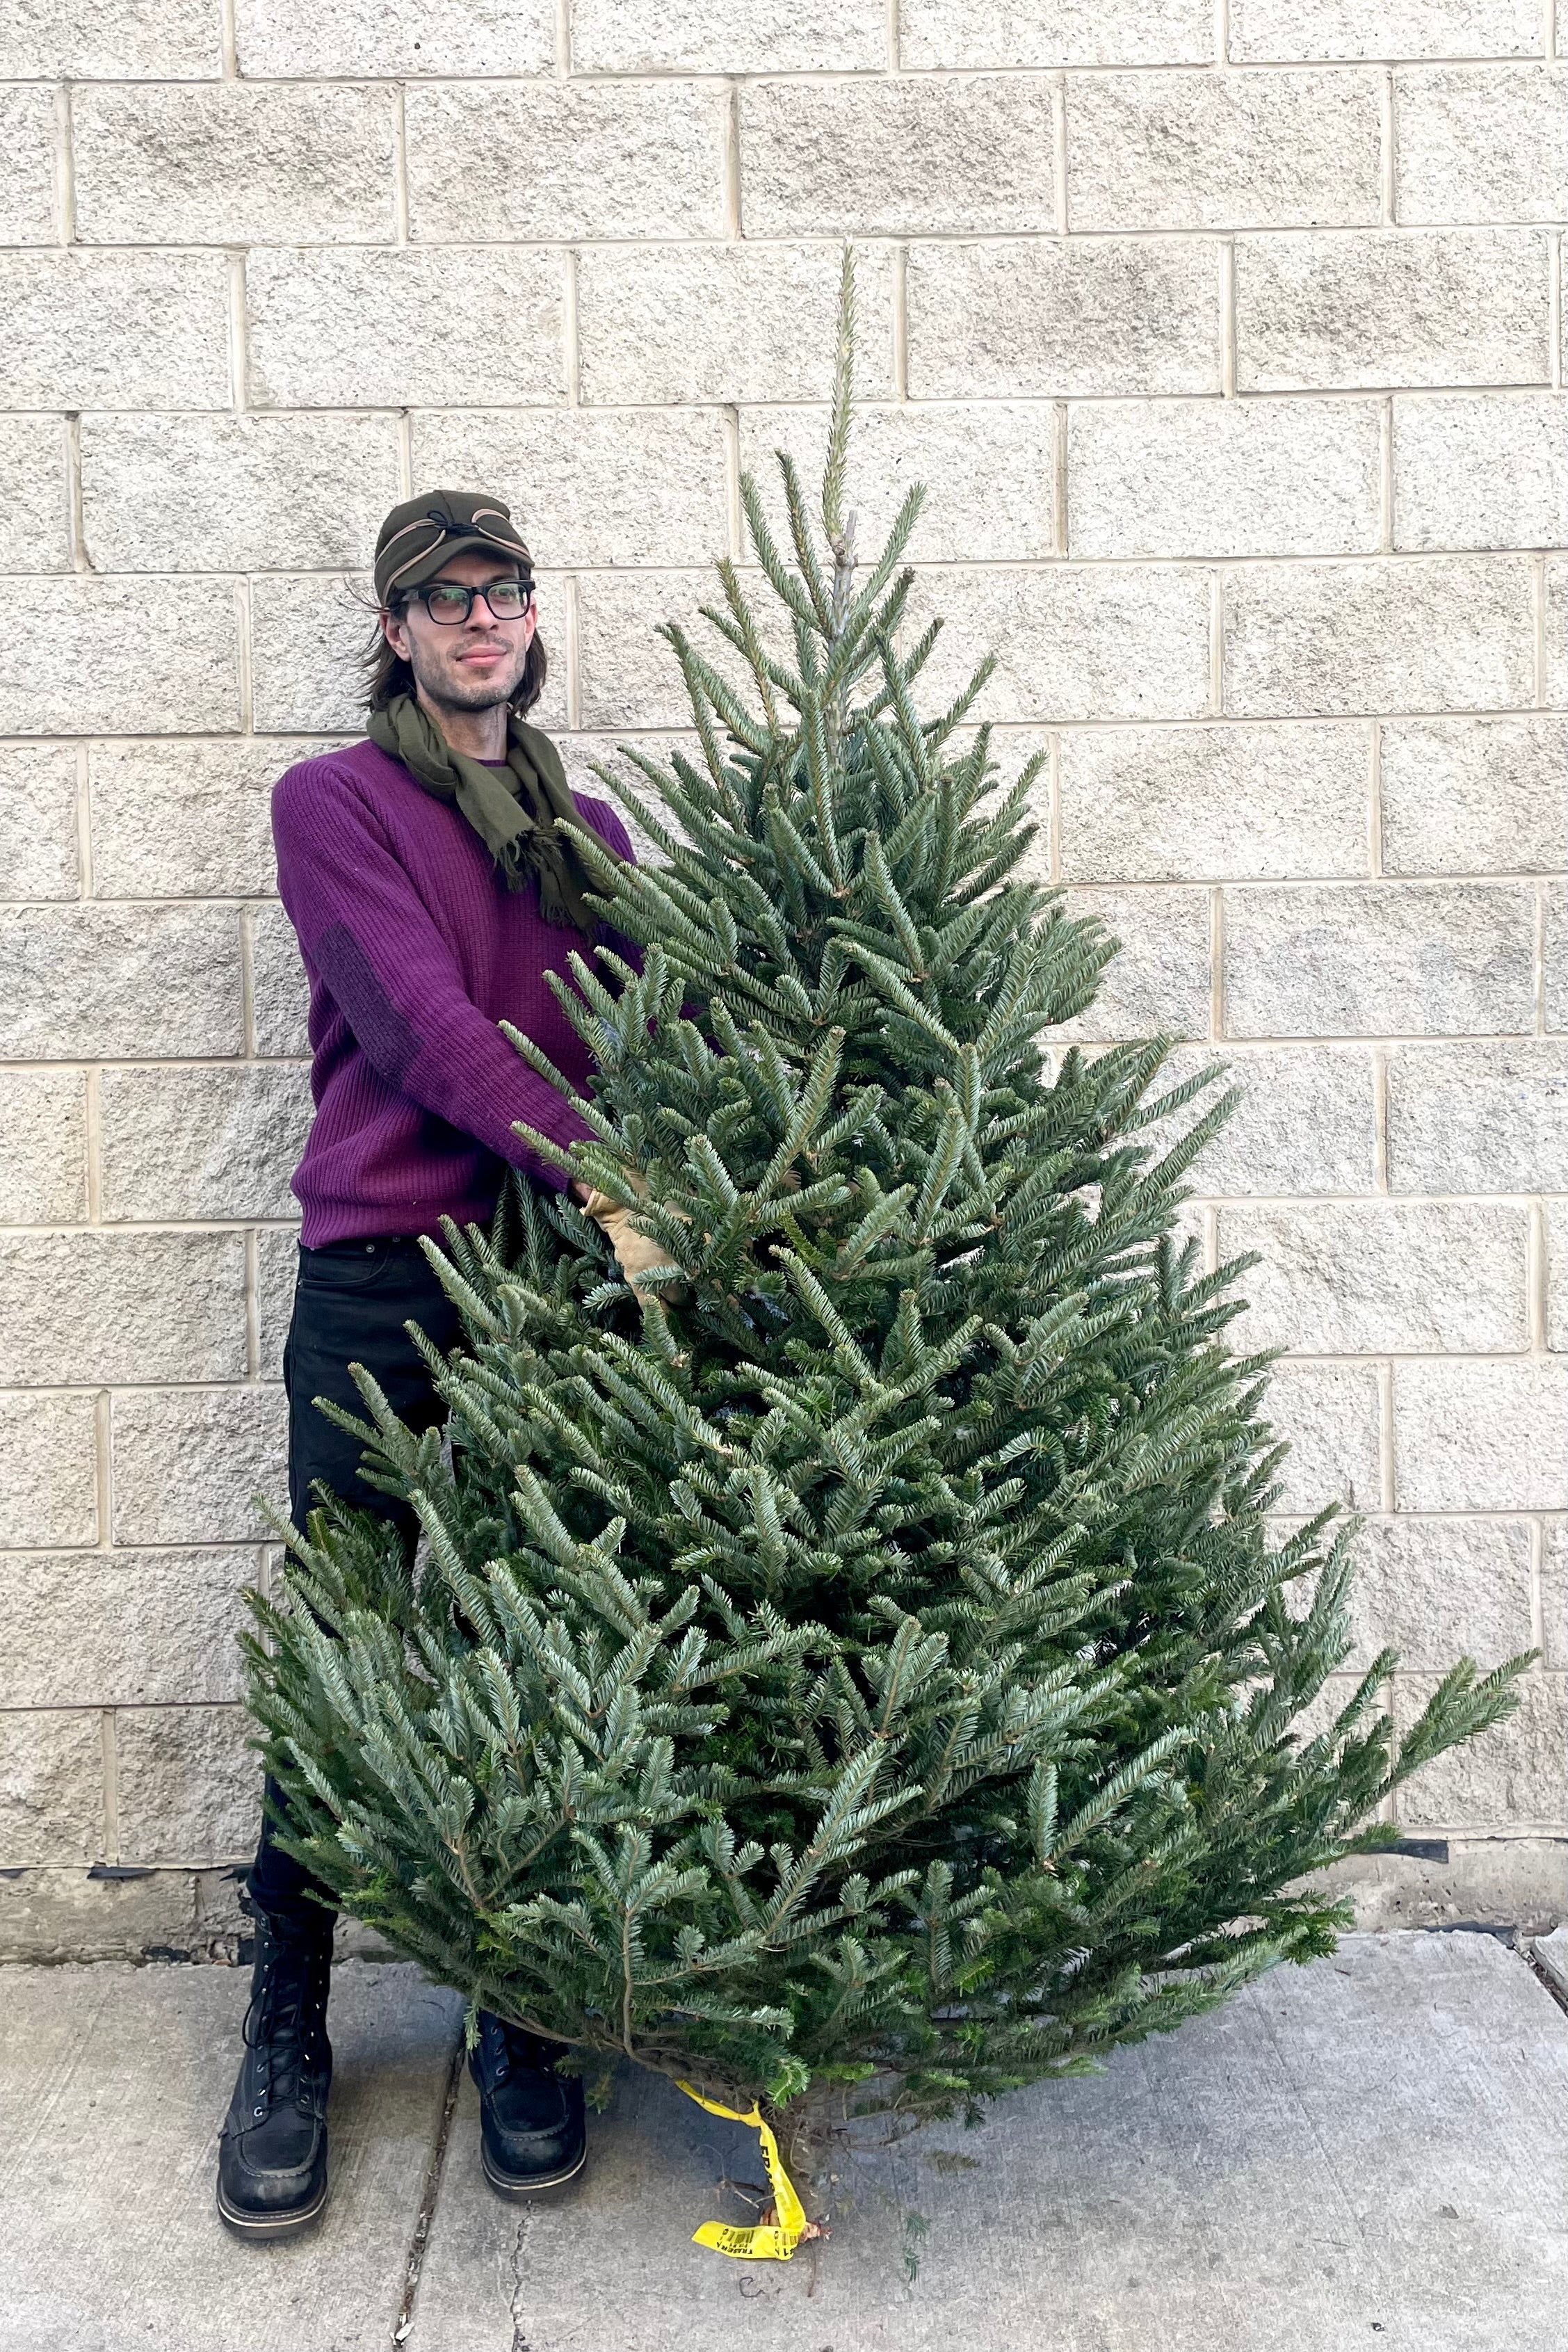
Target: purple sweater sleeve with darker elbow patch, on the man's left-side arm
x,y
370,935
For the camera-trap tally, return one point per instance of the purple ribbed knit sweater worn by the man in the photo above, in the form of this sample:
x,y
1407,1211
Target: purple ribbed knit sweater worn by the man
x,y
415,951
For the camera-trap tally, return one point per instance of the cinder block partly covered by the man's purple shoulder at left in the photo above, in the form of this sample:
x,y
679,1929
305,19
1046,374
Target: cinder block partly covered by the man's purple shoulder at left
x,y
187,820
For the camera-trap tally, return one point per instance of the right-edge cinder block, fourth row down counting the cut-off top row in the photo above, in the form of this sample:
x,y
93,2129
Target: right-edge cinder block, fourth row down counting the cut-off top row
x,y
1477,472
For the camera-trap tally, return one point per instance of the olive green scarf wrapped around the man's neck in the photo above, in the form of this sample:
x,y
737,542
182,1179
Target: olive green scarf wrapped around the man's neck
x,y
511,808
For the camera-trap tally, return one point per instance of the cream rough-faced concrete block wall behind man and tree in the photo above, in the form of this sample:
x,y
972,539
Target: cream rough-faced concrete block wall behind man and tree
x,y
1228,340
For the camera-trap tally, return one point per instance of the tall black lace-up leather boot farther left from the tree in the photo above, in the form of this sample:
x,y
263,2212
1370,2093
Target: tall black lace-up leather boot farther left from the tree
x,y
274,2149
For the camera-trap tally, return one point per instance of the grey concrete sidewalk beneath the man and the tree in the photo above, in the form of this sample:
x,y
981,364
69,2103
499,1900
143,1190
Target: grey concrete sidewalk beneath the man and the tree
x,y
1365,2153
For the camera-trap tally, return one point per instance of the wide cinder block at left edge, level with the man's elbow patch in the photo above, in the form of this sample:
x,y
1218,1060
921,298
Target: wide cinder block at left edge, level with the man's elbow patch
x,y
107,982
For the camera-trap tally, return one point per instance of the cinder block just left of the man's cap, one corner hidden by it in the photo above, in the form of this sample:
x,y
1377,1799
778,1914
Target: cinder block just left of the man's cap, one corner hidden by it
x,y
236,493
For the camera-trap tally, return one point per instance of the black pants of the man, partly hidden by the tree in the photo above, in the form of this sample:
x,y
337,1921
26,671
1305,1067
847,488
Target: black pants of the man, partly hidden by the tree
x,y
351,1302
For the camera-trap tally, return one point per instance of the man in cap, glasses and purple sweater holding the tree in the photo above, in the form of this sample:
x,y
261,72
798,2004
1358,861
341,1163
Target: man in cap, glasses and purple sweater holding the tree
x,y
434,893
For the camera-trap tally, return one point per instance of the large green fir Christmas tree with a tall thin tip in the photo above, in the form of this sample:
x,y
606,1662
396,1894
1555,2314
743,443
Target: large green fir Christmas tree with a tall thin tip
x,y
850,1666
